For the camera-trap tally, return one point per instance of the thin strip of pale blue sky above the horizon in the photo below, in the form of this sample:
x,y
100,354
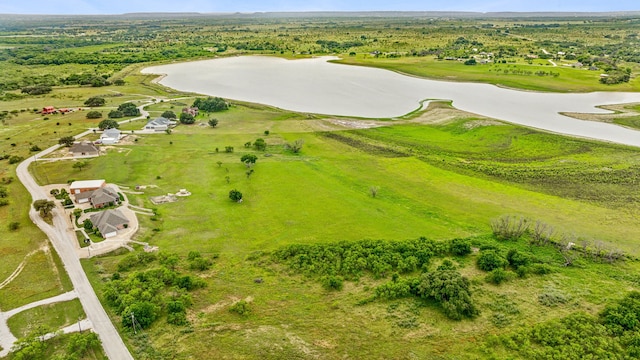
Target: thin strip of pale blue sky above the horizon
x,y
127,6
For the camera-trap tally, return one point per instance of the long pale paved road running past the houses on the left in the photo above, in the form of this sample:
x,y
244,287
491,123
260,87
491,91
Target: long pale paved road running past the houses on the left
x,y
62,239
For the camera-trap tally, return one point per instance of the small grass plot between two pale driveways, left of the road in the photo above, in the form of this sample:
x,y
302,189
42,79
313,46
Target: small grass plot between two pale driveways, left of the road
x,y
52,316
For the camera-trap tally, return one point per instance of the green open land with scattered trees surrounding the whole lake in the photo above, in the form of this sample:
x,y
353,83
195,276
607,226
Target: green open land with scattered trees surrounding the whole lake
x,y
270,277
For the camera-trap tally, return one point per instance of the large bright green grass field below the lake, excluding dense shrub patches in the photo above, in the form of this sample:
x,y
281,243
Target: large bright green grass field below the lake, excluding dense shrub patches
x,y
322,196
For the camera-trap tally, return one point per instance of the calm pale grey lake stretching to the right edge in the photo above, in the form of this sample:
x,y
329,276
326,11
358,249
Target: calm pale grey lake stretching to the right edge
x,y
316,86
